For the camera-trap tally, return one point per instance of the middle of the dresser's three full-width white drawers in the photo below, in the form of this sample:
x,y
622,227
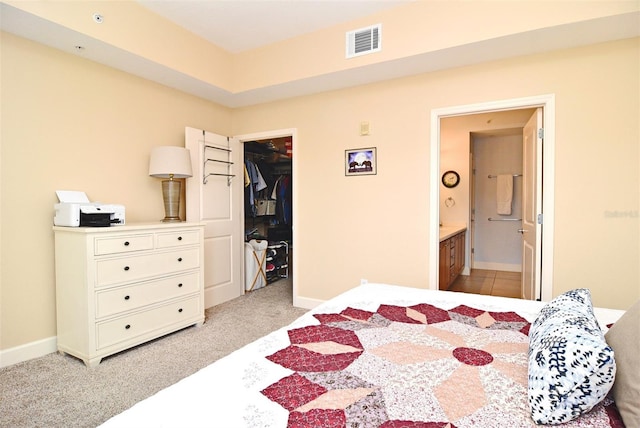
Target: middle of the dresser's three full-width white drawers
x,y
115,300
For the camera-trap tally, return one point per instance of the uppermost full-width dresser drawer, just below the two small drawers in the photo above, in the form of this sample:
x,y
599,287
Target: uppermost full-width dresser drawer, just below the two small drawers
x,y
134,268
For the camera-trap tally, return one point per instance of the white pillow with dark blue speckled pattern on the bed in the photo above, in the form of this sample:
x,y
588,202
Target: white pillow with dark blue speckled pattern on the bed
x,y
571,367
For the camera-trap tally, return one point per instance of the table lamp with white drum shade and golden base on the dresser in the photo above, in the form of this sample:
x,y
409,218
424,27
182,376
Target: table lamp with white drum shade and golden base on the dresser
x,y
170,162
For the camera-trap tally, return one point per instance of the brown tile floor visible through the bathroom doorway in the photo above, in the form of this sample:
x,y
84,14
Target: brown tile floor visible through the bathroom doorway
x,y
489,282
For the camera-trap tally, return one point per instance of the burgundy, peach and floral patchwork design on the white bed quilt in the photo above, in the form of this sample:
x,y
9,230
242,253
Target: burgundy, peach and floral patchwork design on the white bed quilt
x,y
412,366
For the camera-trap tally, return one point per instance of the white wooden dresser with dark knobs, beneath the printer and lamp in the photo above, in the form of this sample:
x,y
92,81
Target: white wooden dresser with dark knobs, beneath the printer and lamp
x,y
117,287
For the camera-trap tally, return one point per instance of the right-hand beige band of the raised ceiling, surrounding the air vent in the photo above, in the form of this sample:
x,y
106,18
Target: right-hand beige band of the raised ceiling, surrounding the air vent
x,y
409,31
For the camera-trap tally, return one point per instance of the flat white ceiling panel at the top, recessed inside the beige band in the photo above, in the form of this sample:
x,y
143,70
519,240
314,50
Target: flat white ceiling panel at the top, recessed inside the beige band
x,y
239,25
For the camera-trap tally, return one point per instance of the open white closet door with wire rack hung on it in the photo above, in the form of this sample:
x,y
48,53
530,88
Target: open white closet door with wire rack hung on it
x,y
214,196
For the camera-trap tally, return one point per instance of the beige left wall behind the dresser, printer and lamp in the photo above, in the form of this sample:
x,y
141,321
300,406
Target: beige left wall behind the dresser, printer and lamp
x,y
72,124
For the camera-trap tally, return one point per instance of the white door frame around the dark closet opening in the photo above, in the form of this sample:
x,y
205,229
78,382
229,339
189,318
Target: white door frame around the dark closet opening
x,y
293,133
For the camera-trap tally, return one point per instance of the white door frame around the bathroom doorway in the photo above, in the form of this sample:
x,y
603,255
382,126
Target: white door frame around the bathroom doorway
x,y
547,102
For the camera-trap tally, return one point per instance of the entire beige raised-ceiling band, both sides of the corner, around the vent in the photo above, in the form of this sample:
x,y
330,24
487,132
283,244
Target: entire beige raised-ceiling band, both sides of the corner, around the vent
x,y
409,31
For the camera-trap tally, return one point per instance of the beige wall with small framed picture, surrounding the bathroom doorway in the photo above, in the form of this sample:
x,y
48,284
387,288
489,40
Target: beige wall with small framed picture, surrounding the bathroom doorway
x,y
376,227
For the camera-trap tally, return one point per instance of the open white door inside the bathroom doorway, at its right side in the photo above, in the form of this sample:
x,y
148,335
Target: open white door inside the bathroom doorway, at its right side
x,y
531,206
